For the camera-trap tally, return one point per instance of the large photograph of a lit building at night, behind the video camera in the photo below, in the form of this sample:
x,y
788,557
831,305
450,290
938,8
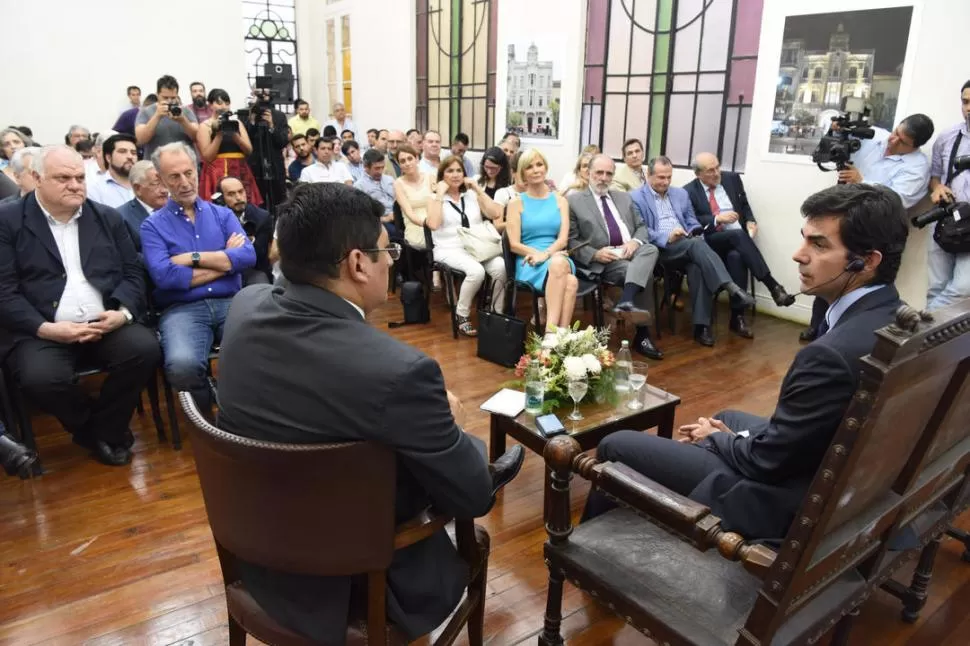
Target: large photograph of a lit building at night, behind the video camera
x,y
826,57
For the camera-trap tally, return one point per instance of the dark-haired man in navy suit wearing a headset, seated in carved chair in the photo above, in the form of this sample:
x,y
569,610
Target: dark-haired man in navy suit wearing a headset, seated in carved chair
x,y
753,472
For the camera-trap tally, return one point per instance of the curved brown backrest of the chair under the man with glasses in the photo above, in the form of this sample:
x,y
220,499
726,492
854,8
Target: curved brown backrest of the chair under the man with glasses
x,y
317,509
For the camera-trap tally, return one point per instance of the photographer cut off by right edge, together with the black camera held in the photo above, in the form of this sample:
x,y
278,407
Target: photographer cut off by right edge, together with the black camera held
x,y
949,268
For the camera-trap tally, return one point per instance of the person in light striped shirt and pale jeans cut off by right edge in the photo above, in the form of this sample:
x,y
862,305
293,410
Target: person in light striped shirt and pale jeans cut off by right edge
x,y
949,273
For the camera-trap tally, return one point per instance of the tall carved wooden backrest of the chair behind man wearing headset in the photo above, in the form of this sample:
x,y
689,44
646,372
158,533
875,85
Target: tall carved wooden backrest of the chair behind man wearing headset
x,y
907,385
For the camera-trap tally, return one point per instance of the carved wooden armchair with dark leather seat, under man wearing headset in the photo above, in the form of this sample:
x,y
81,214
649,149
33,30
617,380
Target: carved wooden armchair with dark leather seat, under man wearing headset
x,y
894,458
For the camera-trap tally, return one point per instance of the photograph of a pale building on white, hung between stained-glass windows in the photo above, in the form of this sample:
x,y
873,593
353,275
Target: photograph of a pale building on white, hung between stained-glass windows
x,y
534,82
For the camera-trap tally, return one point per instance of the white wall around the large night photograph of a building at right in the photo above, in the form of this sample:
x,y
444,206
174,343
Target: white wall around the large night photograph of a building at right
x,y
932,76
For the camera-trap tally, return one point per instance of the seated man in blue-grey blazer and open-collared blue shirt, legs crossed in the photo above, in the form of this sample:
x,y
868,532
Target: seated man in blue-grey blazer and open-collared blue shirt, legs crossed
x,y
669,216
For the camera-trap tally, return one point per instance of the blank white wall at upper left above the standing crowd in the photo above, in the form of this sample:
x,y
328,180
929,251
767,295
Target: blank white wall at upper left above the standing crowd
x,y
69,61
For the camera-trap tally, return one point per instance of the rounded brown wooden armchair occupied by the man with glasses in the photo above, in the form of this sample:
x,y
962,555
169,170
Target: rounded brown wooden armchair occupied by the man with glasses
x,y
322,510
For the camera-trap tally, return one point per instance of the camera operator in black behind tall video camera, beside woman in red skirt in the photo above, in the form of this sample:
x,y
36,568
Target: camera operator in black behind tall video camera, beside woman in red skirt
x,y
270,136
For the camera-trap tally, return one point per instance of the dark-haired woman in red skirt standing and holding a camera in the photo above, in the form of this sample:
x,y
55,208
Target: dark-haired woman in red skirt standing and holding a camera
x,y
224,150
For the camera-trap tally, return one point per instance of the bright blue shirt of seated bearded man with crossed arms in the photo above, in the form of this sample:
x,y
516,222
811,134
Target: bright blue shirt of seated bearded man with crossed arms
x,y
169,232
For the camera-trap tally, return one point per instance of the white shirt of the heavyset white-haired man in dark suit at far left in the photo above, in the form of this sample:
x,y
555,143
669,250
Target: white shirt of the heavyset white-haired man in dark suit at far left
x,y
80,302
